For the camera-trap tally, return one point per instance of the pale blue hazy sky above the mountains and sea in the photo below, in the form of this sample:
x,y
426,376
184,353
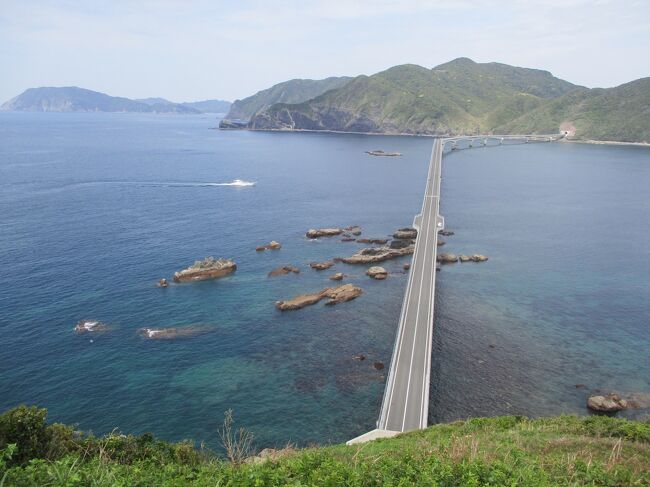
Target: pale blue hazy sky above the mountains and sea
x,y
186,50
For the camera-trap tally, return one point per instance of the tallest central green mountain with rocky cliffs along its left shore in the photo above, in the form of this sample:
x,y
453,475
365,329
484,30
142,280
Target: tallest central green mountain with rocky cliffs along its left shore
x,y
457,97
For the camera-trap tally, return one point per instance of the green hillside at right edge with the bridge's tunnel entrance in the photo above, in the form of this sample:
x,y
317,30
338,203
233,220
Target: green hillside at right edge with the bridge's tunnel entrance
x,y
620,114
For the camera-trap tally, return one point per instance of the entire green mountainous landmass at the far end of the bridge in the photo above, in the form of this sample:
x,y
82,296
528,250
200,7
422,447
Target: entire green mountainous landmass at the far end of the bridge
x,y
455,98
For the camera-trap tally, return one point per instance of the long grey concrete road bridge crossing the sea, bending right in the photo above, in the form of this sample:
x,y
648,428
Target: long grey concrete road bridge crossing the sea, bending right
x,y
405,405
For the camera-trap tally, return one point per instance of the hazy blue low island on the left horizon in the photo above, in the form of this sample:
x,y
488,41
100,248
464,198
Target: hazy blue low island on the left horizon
x,y
74,99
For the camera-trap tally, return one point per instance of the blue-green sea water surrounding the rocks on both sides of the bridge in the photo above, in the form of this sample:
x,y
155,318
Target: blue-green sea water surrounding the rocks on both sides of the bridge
x,y
95,208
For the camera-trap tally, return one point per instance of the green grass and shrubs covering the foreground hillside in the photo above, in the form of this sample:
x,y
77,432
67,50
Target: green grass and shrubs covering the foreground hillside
x,y
509,450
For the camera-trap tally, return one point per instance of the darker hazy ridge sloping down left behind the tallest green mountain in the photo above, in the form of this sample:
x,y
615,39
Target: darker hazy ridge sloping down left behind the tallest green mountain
x,y
292,91
